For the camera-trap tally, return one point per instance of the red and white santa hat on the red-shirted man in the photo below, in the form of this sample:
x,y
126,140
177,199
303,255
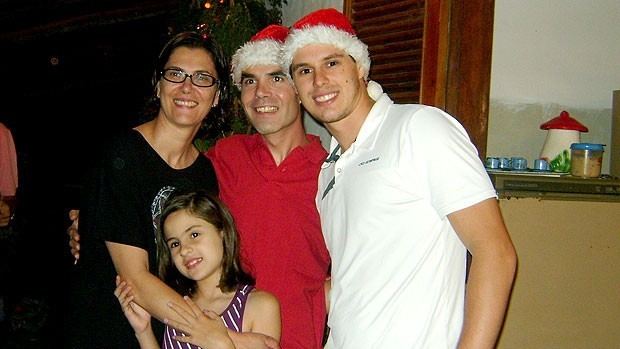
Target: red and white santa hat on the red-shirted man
x,y
262,49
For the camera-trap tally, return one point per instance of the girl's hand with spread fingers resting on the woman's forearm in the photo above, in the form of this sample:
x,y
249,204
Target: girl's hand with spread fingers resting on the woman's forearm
x,y
204,329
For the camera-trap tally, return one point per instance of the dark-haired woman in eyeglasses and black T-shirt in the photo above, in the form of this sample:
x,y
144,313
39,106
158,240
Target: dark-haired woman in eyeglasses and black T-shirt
x,y
123,198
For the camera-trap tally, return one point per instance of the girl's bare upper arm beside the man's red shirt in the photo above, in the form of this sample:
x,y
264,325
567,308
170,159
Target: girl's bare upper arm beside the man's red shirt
x,y
262,314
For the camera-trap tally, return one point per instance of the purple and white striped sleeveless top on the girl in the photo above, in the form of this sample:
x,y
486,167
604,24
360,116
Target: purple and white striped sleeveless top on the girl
x,y
232,317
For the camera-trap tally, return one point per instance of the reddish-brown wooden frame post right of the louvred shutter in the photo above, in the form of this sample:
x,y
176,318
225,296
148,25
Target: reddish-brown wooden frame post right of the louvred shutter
x,y
456,64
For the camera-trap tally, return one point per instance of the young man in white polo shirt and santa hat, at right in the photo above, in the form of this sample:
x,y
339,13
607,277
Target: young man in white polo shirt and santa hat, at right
x,y
402,197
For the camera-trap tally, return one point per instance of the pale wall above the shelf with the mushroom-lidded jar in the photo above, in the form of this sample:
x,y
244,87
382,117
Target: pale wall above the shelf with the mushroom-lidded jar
x,y
550,56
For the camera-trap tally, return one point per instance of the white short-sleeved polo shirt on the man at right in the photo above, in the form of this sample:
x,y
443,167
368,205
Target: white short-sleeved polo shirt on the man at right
x,y
398,267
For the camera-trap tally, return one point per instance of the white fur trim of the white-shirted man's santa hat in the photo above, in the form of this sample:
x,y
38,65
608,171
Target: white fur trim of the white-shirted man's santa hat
x,y
321,34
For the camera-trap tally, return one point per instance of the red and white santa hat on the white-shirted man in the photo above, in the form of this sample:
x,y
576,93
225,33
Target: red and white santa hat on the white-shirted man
x,y
326,26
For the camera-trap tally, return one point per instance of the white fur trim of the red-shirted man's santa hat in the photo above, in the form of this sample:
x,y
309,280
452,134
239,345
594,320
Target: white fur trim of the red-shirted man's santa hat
x,y
263,52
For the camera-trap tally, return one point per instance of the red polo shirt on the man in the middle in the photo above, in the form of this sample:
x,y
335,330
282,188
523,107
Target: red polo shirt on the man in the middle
x,y
282,246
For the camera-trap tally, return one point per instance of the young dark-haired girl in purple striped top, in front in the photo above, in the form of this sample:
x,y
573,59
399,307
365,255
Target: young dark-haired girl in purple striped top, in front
x,y
197,253
